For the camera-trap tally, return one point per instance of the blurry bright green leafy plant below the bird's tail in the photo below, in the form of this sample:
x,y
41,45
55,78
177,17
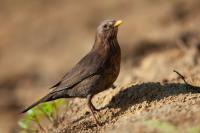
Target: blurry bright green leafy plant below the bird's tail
x,y
34,117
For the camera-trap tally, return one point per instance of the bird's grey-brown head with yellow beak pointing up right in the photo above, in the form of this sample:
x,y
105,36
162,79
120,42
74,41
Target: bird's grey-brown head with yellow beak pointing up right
x,y
108,29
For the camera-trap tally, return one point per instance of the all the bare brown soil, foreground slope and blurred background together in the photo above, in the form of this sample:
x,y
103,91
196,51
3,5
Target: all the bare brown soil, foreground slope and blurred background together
x,y
40,41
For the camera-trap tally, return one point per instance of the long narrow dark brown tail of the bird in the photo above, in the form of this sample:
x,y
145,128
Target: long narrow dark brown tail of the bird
x,y
49,97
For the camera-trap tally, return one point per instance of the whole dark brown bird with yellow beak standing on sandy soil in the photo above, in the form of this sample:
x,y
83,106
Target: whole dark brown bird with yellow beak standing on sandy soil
x,y
94,73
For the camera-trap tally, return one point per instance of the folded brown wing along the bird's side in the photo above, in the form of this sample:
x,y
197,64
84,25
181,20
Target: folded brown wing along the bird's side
x,y
89,66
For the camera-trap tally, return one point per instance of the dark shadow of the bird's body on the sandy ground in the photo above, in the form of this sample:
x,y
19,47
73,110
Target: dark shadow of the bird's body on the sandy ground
x,y
149,92
